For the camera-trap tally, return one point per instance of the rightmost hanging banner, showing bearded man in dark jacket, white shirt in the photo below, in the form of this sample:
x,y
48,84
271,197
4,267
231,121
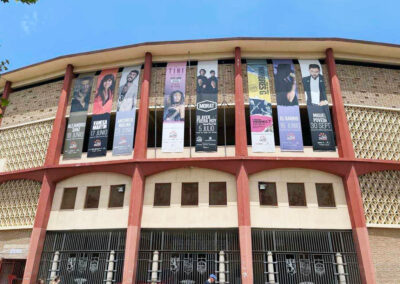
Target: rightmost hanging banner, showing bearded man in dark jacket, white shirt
x,y
317,106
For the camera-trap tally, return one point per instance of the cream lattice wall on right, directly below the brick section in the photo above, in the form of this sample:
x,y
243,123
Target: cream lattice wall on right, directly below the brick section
x,y
375,133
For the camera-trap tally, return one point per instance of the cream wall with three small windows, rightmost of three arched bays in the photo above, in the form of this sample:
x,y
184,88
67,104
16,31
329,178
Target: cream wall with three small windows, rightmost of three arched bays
x,y
305,217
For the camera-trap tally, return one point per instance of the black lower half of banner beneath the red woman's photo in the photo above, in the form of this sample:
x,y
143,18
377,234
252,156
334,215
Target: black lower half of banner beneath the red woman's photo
x,y
99,135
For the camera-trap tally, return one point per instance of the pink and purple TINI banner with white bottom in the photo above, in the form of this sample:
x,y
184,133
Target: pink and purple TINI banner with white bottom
x,y
174,108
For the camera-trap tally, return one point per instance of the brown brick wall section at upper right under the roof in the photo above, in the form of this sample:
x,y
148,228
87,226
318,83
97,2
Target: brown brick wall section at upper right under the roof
x,y
369,86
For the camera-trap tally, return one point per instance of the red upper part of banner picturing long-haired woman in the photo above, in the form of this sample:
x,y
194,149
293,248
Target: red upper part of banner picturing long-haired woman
x,y
105,91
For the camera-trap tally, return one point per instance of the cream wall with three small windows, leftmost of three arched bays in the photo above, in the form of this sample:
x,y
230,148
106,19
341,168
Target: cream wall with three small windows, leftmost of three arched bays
x,y
80,218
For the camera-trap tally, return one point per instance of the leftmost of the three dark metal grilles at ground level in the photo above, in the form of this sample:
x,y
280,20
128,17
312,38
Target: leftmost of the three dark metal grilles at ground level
x,y
84,256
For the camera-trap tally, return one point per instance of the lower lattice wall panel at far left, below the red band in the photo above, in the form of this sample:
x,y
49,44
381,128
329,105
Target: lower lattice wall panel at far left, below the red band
x,y
18,203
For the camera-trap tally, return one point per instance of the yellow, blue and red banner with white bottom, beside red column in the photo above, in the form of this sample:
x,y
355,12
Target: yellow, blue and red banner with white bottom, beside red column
x,y
261,122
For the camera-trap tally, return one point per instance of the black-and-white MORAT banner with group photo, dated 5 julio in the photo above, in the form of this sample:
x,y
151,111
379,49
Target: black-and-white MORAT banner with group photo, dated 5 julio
x,y
206,106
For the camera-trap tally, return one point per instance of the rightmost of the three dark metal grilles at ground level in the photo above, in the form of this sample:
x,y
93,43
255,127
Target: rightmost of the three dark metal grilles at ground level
x,y
304,256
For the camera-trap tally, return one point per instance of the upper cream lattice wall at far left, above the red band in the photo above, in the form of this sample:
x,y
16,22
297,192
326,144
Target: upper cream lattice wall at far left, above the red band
x,y
25,147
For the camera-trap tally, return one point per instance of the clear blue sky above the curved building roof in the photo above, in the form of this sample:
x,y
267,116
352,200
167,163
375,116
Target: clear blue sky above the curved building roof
x,y
50,28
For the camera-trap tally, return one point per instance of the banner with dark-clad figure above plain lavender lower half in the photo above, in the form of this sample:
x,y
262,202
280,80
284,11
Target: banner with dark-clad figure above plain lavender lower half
x,y
289,122
